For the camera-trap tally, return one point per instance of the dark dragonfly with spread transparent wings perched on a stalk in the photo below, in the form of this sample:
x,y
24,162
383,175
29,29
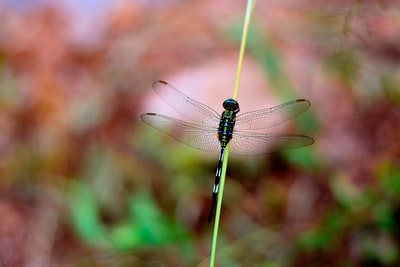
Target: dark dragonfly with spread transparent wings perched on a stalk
x,y
205,129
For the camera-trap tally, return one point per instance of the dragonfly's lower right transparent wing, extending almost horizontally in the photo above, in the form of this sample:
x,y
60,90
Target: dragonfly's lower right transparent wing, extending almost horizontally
x,y
247,144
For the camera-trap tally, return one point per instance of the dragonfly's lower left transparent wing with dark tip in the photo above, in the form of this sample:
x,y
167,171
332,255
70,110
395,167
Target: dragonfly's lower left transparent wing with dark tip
x,y
197,136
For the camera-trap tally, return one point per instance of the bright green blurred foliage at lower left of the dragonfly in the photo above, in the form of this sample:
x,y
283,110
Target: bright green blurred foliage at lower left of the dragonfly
x,y
145,226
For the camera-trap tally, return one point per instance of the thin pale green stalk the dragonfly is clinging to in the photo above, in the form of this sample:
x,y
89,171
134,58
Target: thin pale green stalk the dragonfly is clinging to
x,y
249,10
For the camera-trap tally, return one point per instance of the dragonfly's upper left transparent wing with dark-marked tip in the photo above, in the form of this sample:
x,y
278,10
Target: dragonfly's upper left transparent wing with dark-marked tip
x,y
186,106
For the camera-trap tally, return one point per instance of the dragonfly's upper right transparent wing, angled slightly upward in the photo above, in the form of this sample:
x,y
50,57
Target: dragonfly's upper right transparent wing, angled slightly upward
x,y
270,117
